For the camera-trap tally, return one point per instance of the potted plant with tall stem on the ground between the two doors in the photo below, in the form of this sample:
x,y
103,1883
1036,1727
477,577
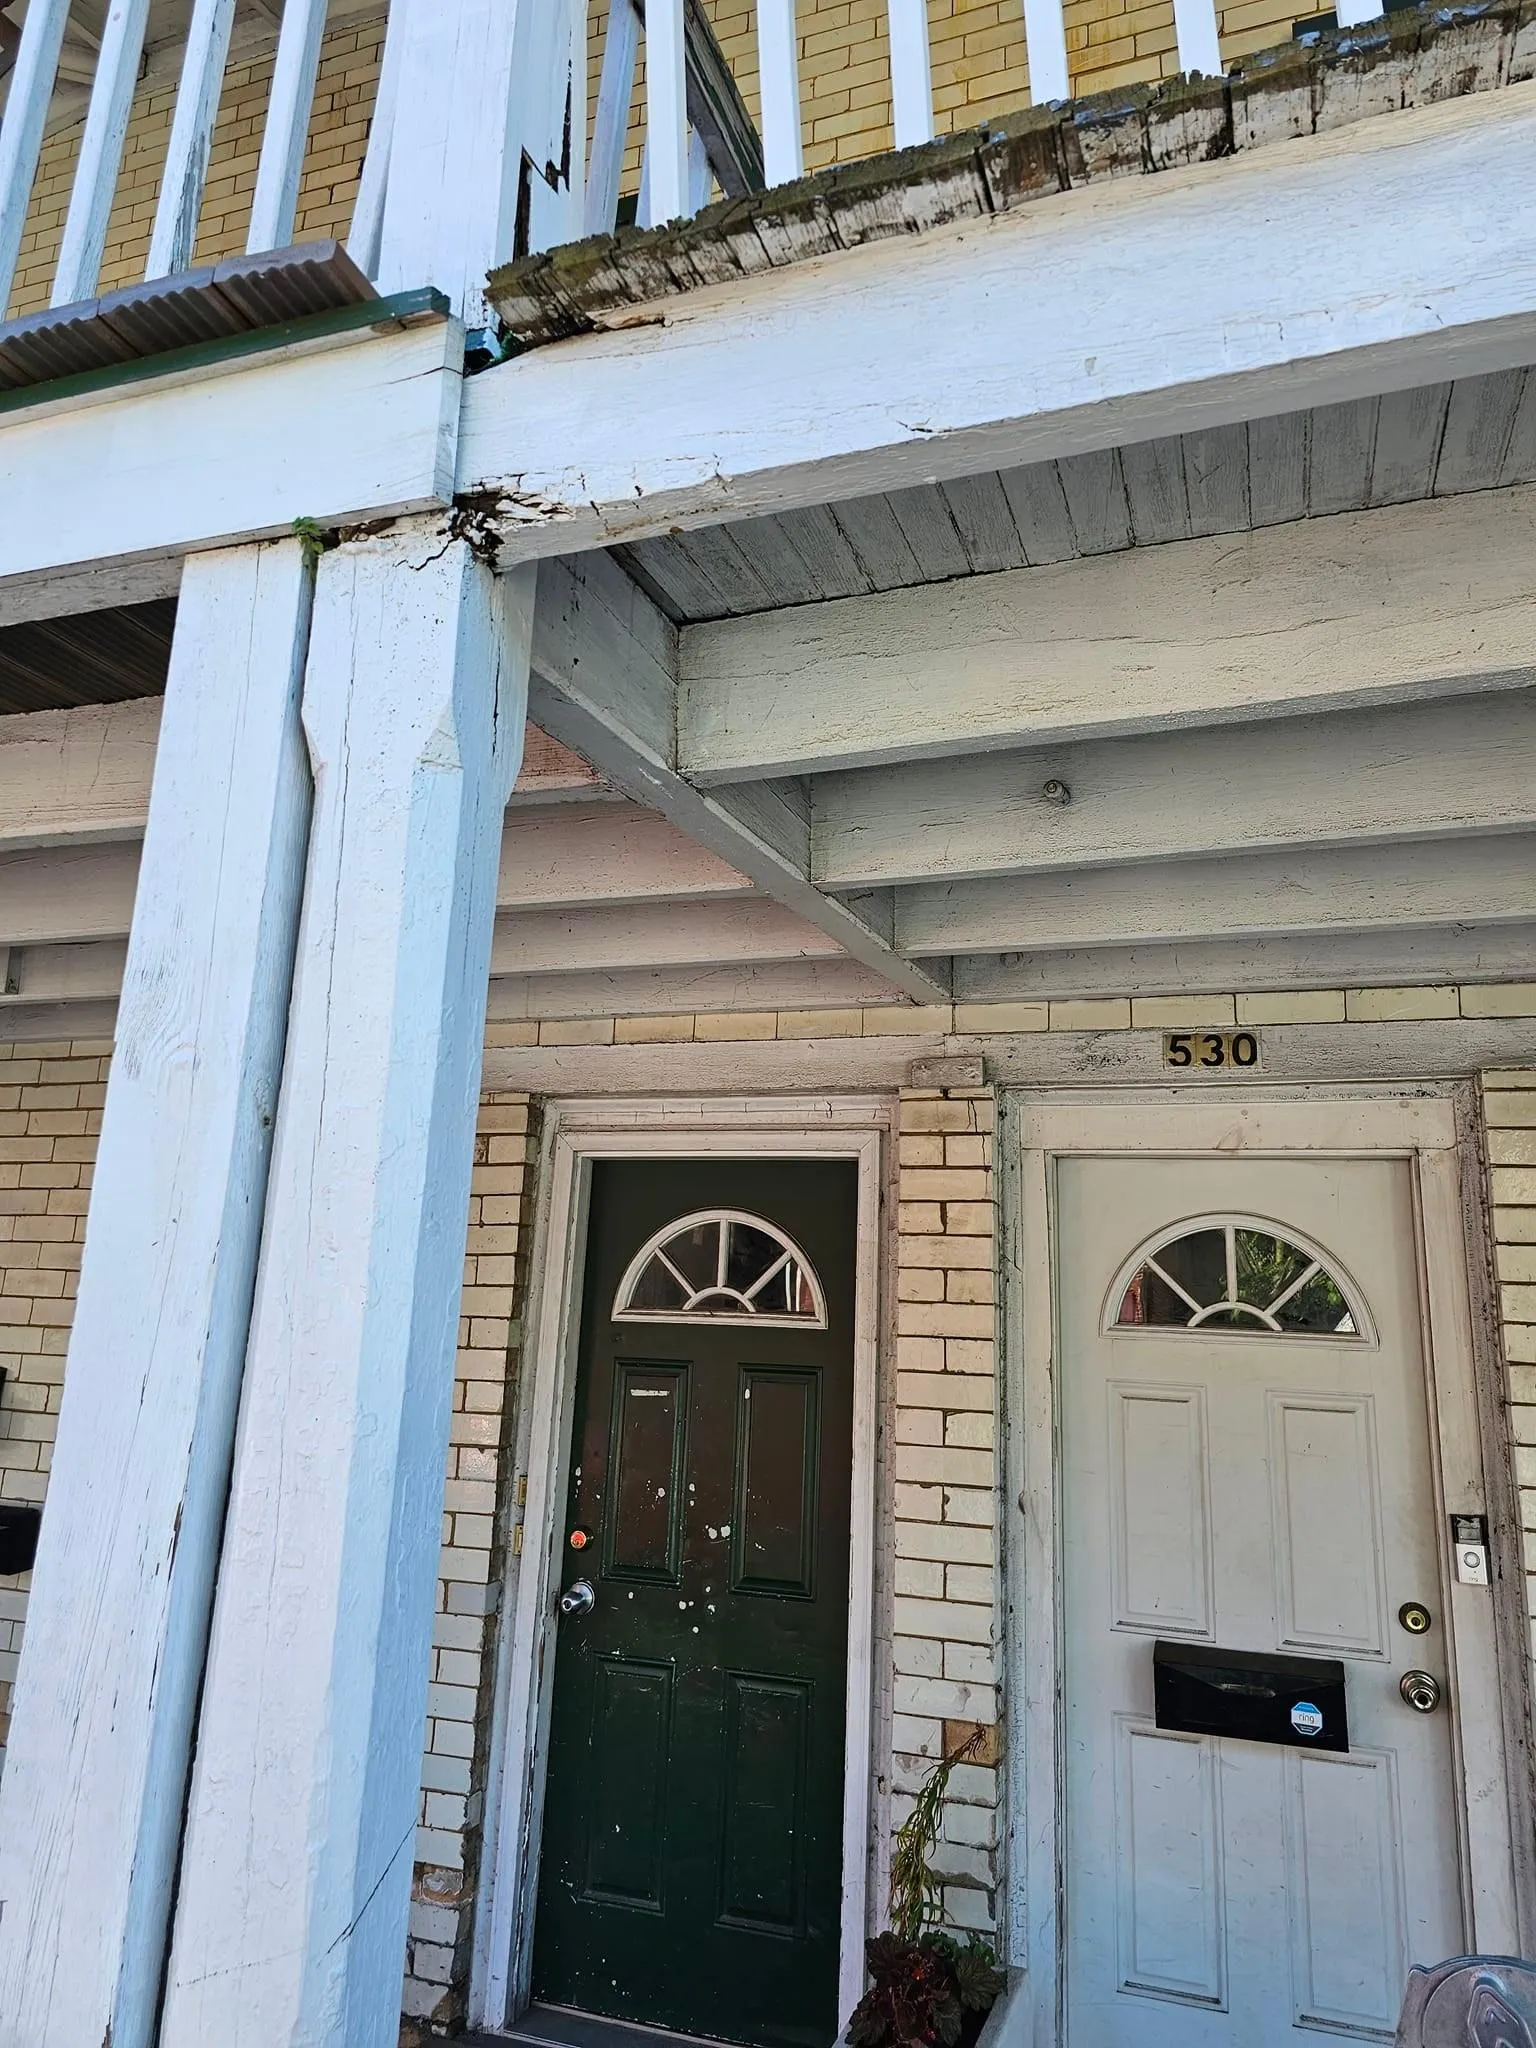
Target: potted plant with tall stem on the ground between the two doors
x,y
927,1988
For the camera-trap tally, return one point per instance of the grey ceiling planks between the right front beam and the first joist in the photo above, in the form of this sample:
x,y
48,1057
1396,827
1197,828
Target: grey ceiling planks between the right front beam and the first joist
x,y
1424,443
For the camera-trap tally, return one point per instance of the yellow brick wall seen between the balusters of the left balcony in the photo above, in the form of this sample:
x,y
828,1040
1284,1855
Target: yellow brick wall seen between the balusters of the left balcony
x,y
349,79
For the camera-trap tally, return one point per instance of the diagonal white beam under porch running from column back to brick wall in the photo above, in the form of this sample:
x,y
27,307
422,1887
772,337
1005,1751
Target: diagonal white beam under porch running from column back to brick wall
x,y
605,681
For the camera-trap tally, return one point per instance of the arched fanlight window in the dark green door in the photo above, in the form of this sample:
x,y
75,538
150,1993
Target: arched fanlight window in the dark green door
x,y
722,1267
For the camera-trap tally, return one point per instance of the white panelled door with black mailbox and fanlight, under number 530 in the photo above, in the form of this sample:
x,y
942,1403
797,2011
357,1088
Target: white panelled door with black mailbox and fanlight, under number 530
x,y
1246,1463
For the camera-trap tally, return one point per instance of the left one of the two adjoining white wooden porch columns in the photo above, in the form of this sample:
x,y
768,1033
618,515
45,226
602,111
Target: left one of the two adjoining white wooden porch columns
x,y
91,1799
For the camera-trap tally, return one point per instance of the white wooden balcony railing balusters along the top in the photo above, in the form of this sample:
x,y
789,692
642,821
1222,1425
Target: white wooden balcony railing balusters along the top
x,y
697,132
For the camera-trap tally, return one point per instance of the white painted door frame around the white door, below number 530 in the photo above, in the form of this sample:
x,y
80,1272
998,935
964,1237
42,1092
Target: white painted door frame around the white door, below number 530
x,y
1488,1680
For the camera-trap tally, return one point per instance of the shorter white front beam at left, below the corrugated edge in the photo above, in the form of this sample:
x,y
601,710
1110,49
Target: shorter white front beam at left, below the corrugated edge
x,y
357,431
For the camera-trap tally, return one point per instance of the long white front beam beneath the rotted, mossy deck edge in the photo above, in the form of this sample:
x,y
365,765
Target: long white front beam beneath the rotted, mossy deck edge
x,y
1365,259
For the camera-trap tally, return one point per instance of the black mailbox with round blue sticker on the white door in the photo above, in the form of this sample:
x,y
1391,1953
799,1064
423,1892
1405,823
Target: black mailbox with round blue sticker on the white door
x,y
1293,1701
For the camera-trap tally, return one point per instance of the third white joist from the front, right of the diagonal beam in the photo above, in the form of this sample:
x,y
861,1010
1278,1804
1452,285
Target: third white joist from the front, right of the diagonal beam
x,y
1490,880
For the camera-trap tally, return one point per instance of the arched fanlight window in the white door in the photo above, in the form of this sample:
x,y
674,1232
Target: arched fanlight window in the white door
x,y
1238,1275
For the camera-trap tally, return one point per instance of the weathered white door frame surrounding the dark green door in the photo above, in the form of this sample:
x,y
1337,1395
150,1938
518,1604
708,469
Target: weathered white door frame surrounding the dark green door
x,y
577,1136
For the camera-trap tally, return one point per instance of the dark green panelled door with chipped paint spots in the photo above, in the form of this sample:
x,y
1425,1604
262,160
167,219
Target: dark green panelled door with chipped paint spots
x,y
691,1867
